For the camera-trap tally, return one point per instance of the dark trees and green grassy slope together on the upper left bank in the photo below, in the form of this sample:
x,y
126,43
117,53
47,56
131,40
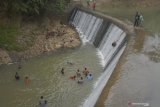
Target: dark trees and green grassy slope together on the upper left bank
x,y
13,37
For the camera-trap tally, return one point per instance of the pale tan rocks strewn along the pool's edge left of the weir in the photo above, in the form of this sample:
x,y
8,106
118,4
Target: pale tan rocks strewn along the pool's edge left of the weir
x,y
54,37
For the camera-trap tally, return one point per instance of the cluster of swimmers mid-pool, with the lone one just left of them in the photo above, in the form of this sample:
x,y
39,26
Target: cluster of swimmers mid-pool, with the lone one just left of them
x,y
80,75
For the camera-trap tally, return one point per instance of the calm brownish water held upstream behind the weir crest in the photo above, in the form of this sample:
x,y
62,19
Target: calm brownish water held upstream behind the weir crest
x,y
136,79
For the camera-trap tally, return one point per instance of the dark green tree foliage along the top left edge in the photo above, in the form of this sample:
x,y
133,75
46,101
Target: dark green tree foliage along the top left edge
x,y
32,7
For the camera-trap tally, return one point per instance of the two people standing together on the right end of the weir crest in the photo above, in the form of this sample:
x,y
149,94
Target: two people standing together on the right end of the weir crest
x,y
138,19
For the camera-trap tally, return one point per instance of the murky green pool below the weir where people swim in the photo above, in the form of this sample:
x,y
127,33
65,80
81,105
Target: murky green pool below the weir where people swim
x,y
46,79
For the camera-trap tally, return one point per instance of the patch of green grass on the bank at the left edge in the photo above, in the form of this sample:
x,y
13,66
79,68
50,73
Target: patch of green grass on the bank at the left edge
x,y
8,38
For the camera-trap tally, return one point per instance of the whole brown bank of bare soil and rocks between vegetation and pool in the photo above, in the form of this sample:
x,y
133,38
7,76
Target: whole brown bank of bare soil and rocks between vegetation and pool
x,y
39,37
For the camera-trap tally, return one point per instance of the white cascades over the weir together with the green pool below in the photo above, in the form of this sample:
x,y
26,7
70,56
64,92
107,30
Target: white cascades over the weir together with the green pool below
x,y
44,72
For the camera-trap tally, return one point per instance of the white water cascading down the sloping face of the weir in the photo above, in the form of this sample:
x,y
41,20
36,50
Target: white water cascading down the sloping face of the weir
x,y
109,49
